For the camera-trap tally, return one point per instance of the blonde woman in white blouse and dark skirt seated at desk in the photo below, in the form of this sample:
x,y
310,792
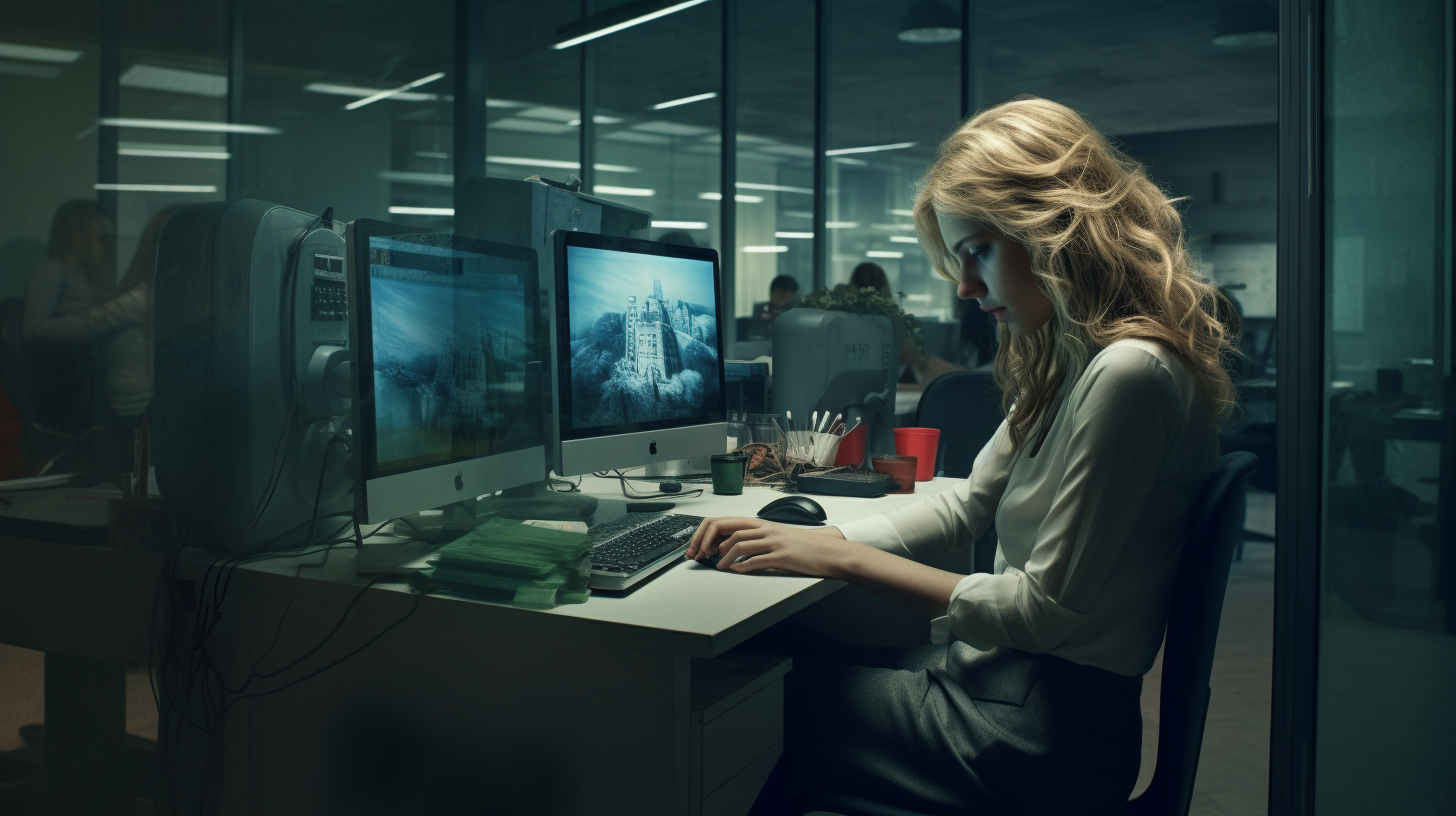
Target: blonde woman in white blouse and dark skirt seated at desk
x,y
1112,362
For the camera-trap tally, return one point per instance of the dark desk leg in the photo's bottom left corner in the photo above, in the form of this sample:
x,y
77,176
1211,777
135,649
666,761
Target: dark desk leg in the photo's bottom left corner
x,y
85,735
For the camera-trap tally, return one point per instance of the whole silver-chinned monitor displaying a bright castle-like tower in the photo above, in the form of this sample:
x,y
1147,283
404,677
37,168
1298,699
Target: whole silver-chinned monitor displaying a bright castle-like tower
x,y
640,374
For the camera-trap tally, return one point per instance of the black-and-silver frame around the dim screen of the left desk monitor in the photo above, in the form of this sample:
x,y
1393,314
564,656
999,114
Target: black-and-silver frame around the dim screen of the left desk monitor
x,y
362,340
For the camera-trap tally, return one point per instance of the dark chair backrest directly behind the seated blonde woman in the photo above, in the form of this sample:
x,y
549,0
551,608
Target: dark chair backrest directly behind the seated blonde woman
x,y
1193,633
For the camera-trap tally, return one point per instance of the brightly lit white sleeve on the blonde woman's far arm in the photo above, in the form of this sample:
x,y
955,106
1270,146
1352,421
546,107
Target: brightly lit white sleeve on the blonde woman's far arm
x,y
949,521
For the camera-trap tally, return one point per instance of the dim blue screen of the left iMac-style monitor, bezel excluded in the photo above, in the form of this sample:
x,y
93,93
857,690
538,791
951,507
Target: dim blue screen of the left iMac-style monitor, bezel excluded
x,y
452,352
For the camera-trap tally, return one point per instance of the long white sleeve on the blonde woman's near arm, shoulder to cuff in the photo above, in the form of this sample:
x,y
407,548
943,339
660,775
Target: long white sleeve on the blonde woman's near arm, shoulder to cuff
x,y
1126,415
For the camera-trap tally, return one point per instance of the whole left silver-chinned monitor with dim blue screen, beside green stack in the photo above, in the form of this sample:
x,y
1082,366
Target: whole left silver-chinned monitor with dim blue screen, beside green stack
x,y
449,368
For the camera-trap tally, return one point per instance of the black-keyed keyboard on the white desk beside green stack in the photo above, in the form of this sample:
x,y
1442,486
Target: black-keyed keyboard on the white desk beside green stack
x,y
630,552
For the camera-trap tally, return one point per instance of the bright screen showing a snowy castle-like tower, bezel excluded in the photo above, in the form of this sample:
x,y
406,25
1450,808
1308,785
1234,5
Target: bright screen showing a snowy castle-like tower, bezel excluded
x,y
643,327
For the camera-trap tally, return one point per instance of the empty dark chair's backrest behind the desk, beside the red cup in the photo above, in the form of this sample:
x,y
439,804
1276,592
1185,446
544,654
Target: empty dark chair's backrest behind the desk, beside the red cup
x,y
966,406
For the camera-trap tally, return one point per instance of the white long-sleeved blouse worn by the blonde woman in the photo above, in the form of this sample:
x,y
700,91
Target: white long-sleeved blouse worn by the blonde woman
x,y
1090,528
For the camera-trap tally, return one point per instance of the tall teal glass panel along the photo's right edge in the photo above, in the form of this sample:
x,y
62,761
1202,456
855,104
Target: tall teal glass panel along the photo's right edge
x,y
1387,655
